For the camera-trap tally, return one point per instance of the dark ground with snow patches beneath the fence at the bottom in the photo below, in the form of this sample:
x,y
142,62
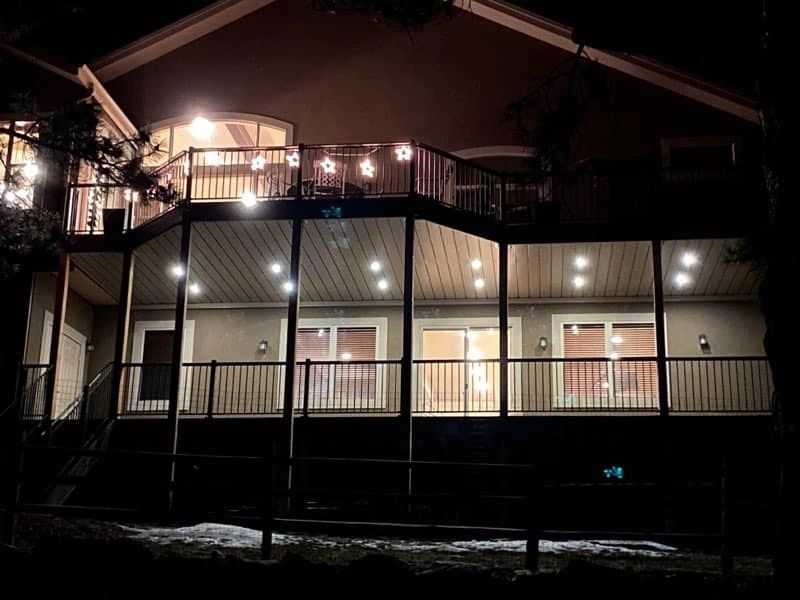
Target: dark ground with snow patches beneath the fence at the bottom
x,y
201,557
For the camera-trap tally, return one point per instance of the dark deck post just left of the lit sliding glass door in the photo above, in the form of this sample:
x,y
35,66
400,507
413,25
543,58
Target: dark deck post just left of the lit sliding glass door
x,y
407,364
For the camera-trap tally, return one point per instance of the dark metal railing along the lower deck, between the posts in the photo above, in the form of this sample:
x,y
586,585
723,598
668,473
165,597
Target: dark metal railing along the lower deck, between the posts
x,y
696,385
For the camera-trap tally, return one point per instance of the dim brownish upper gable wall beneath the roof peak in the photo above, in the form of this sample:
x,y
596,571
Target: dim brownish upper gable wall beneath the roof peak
x,y
344,78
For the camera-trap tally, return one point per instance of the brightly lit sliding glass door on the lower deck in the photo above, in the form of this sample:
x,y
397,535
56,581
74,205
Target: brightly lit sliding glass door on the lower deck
x,y
459,372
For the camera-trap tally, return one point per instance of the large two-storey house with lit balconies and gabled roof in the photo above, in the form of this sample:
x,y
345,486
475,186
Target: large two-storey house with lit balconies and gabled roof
x,y
345,236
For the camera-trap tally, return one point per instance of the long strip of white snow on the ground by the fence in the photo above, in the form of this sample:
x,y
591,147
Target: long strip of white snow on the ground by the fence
x,y
212,535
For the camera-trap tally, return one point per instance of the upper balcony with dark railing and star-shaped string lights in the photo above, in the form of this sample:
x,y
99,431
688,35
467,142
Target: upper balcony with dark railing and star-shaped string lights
x,y
618,203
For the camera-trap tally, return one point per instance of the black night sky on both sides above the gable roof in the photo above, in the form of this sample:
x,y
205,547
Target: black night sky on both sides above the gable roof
x,y
717,39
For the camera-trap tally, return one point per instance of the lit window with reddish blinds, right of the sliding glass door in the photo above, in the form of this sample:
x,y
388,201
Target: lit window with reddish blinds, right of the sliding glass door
x,y
601,369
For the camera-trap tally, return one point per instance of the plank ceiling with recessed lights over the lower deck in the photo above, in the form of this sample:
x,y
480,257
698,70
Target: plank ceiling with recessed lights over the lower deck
x,y
231,263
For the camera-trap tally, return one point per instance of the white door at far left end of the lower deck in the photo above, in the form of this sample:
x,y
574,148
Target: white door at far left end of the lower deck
x,y
71,360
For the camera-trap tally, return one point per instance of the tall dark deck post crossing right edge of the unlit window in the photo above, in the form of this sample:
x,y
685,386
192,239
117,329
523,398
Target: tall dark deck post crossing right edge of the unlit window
x,y
181,299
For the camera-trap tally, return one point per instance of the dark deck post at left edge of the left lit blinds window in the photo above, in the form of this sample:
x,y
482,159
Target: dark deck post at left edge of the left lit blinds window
x,y
291,352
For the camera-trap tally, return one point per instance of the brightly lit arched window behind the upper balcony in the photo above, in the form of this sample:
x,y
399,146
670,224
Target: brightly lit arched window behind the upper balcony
x,y
217,130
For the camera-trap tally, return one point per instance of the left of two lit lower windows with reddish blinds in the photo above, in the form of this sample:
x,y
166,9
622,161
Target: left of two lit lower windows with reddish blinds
x,y
349,375
